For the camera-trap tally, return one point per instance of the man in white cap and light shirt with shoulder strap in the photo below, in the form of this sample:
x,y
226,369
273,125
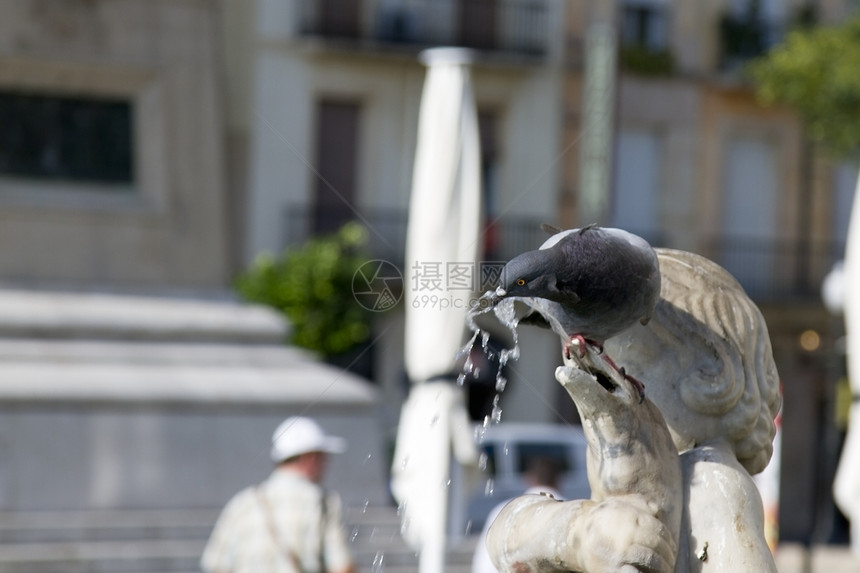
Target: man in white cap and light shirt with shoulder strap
x,y
288,523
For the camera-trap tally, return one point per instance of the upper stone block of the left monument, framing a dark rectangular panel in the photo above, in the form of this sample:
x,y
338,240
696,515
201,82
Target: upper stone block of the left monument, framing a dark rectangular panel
x,y
139,81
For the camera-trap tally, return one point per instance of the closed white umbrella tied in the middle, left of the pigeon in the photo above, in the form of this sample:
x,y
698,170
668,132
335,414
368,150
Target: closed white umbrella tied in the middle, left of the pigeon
x,y
442,247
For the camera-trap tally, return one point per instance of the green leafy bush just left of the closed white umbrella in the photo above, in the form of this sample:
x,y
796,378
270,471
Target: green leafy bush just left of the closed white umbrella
x,y
312,286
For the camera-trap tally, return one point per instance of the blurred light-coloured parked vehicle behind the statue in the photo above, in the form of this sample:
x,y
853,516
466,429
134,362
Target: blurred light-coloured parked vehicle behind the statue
x,y
506,449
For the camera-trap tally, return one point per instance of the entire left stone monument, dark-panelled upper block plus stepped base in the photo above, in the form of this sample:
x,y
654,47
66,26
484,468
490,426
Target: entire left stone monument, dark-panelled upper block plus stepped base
x,y
136,395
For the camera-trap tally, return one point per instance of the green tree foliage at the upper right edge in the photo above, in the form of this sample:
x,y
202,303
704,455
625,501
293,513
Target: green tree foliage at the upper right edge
x,y
817,72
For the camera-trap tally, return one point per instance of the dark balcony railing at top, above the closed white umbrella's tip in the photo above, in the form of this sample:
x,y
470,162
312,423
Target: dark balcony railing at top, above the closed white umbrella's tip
x,y
505,26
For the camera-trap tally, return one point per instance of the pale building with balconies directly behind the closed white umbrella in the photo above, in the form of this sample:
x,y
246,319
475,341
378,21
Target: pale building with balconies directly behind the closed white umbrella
x,y
332,123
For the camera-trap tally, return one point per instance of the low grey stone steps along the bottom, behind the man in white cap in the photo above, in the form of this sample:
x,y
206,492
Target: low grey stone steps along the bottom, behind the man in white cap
x,y
145,541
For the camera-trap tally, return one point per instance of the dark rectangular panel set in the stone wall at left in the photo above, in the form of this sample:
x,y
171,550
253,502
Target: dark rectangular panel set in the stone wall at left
x,y
68,138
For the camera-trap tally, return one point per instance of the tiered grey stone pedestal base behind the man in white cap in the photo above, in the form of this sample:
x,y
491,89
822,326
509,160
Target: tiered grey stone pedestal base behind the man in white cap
x,y
144,413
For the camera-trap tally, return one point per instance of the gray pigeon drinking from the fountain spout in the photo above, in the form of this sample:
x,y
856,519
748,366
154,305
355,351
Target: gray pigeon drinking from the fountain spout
x,y
589,284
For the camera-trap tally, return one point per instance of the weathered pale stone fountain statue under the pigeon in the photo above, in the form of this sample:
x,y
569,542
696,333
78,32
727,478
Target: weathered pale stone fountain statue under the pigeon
x,y
671,476
